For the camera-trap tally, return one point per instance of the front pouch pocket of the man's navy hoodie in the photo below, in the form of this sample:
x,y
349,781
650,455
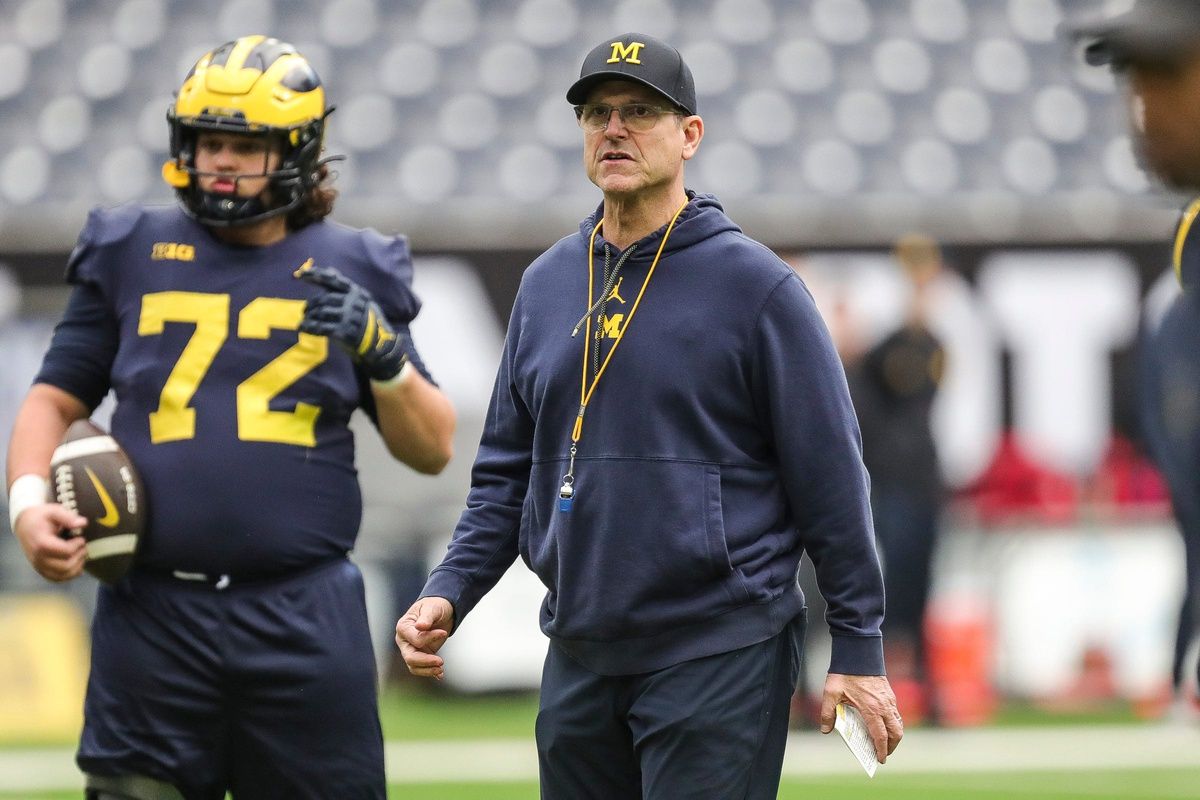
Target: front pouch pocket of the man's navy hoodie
x,y
644,548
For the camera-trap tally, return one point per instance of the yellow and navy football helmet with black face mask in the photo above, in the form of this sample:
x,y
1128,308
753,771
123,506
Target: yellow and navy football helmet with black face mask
x,y
260,87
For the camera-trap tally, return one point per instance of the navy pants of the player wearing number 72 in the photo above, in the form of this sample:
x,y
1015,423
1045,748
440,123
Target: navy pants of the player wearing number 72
x,y
266,689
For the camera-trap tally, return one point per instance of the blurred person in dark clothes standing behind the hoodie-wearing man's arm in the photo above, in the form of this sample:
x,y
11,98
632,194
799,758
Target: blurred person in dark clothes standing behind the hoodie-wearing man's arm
x,y
895,384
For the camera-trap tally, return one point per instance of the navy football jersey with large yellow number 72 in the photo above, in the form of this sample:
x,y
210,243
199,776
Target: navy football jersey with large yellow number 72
x,y
236,420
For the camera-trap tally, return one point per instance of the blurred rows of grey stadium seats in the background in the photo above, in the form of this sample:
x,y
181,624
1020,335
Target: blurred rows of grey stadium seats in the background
x,y
459,104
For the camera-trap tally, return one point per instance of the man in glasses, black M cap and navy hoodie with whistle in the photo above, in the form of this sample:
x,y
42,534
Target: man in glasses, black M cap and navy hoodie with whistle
x,y
663,474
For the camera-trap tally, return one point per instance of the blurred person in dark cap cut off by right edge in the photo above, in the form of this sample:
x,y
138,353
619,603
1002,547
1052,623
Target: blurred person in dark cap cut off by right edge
x,y
1155,50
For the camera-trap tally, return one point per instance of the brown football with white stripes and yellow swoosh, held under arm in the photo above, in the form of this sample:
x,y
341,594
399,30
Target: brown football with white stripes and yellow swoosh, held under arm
x,y
91,474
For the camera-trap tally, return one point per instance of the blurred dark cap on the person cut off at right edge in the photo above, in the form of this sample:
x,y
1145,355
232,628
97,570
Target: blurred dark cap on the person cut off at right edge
x,y
1153,31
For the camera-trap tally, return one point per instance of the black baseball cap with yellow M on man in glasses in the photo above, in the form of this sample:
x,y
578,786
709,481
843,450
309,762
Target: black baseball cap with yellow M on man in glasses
x,y
641,59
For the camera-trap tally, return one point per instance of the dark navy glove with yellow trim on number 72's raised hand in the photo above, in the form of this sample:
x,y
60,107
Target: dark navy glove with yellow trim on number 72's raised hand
x,y
346,314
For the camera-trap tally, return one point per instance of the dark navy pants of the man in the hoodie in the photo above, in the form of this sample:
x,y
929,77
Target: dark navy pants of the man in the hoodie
x,y
713,727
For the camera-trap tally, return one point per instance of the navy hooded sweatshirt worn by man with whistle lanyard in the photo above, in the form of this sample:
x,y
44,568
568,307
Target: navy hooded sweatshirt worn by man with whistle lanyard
x,y
718,448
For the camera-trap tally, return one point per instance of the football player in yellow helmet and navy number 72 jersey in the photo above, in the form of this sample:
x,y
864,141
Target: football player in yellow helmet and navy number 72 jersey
x,y
238,330
